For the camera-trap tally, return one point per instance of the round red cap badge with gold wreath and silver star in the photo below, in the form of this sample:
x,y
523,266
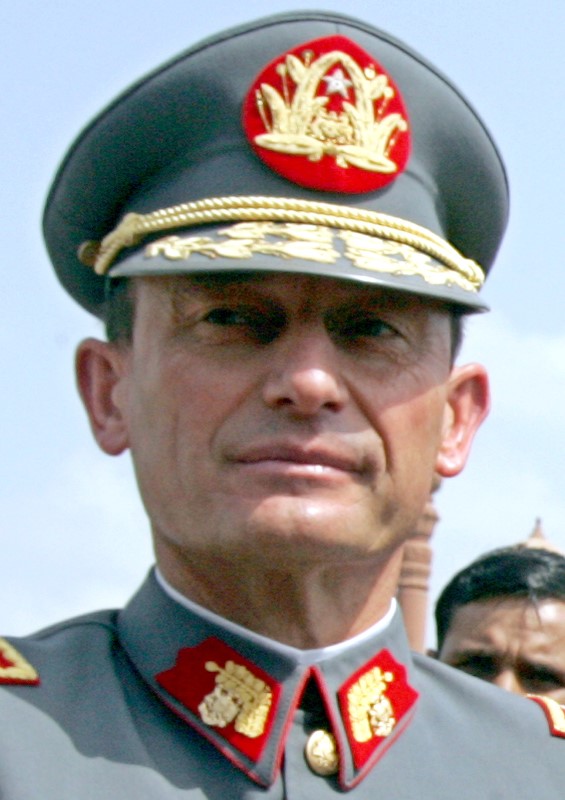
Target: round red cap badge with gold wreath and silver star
x,y
327,116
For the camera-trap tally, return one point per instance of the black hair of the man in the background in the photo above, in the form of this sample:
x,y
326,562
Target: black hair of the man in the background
x,y
519,571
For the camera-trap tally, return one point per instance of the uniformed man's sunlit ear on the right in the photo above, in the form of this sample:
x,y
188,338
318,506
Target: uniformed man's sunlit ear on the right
x,y
467,405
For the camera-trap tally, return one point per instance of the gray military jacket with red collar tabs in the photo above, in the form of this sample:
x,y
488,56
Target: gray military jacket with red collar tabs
x,y
154,702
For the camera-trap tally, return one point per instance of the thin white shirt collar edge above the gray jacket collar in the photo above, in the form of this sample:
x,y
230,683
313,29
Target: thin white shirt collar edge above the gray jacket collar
x,y
311,656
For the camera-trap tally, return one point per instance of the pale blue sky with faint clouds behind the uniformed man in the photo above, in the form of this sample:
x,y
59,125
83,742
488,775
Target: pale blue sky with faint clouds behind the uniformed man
x,y
73,535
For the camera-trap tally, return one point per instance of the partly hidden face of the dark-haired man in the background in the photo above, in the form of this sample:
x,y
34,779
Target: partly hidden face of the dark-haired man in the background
x,y
512,643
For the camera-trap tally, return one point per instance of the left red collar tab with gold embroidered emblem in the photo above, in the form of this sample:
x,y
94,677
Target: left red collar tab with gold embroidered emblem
x,y
226,692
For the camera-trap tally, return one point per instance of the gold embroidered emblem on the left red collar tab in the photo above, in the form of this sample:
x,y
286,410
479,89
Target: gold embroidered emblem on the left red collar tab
x,y
238,697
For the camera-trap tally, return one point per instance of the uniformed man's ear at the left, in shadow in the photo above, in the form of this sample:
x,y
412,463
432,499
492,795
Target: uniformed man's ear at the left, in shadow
x,y
100,378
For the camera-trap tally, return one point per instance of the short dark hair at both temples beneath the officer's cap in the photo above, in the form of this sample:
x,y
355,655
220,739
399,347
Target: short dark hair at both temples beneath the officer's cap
x,y
119,315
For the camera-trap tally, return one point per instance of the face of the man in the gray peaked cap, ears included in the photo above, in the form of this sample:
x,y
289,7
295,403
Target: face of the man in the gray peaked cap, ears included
x,y
283,417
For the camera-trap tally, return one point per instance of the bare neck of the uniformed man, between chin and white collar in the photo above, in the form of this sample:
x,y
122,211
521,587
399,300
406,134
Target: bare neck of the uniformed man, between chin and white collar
x,y
304,608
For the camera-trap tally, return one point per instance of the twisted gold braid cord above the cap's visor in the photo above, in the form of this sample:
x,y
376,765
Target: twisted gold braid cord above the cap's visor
x,y
133,228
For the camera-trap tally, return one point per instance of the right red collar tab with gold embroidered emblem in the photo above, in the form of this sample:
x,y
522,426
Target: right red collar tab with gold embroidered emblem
x,y
374,702
